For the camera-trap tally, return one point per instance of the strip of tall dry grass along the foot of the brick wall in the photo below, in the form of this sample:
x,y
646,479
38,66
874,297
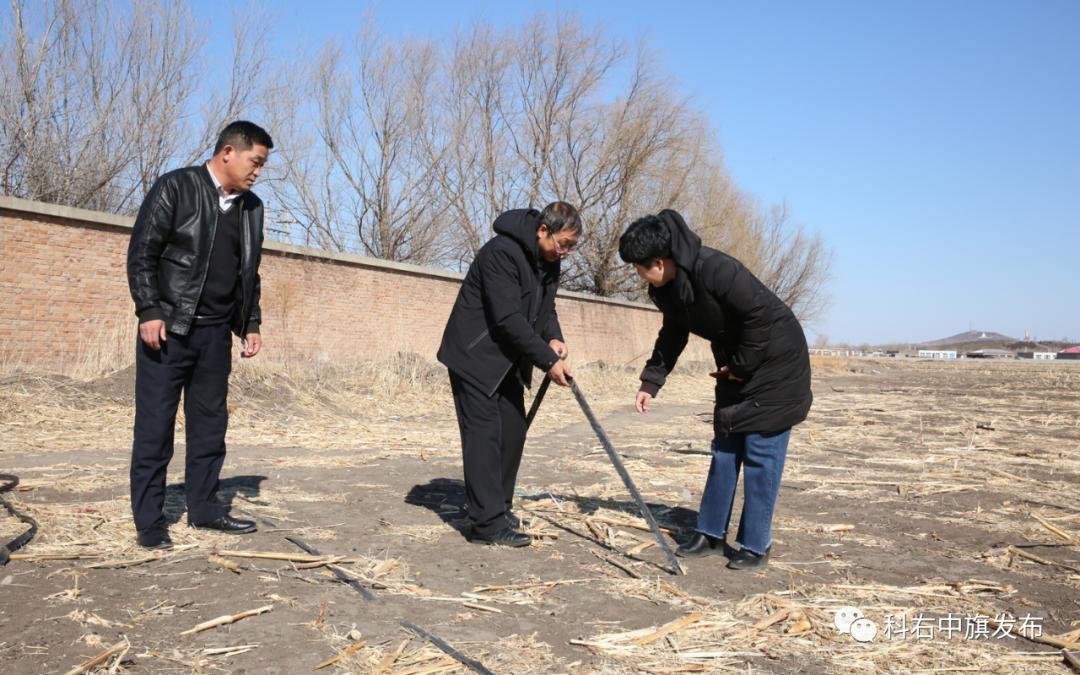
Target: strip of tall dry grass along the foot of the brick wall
x,y
367,406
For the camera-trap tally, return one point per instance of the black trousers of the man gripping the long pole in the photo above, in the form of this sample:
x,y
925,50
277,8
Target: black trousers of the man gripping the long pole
x,y
493,437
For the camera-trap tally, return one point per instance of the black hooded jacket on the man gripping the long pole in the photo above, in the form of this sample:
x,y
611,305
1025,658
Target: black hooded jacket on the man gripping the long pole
x,y
505,314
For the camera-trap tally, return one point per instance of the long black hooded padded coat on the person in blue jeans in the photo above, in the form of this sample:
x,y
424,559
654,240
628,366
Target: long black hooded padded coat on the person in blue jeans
x,y
751,331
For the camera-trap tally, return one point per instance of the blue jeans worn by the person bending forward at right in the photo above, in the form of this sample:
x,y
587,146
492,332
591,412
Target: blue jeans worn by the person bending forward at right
x,y
762,460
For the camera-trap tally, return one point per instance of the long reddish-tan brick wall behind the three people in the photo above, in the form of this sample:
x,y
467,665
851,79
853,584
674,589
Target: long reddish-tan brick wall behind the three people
x,y
64,301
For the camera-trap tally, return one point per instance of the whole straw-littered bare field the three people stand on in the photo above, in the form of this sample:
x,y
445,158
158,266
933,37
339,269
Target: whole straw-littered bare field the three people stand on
x,y
938,498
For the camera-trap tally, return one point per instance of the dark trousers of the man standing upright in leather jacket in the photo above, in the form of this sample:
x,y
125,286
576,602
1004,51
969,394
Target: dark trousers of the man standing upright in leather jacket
x,y
197,364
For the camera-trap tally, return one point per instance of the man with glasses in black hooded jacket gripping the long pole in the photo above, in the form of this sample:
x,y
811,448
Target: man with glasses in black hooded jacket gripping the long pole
x,y
503,326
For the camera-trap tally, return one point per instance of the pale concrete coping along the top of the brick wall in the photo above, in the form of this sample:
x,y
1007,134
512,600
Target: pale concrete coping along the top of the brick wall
x,y
126,223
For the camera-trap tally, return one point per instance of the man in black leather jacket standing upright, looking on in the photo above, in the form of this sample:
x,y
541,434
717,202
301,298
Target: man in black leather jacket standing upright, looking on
x,y
194,274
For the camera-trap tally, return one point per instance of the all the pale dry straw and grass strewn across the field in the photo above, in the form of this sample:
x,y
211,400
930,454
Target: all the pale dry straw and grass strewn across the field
x,y
990,449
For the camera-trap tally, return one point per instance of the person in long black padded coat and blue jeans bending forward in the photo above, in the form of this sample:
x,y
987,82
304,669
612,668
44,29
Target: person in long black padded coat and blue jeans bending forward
x,y
763,379
